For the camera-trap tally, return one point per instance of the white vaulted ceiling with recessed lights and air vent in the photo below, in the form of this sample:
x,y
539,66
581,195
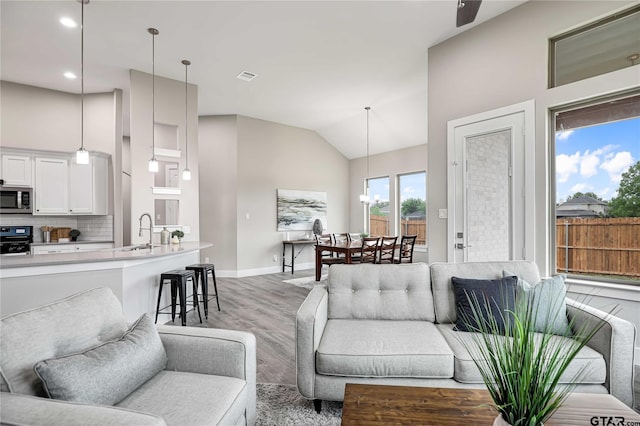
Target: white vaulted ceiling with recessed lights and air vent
x,y
318,63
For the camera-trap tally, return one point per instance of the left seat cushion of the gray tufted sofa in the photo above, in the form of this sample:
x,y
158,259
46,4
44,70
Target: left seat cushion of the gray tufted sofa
x,y
383,348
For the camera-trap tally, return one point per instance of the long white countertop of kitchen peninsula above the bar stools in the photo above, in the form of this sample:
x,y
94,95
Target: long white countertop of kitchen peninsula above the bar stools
x,y
107,255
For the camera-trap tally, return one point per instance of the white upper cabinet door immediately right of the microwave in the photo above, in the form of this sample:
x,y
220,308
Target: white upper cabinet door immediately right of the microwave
x,y
51,190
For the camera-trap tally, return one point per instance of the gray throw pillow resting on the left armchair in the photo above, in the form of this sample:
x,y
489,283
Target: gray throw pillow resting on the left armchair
x,y
107,373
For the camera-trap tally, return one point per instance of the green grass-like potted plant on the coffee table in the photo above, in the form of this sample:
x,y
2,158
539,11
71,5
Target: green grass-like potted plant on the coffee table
x,y
520,367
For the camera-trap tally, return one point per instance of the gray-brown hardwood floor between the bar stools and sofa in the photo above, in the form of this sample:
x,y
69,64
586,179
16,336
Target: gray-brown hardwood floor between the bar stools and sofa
x,y
266,307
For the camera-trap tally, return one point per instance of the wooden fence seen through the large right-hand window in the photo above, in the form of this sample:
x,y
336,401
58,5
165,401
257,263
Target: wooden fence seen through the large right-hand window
x,y
599,246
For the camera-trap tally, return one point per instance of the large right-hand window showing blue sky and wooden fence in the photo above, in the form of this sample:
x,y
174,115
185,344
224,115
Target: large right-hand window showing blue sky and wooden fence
x,y
597,189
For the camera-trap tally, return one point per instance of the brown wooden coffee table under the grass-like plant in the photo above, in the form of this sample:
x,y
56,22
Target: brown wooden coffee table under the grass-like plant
x,y
369,405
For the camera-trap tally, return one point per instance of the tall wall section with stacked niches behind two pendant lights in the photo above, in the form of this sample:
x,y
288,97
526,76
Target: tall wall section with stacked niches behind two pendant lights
x,y
169,109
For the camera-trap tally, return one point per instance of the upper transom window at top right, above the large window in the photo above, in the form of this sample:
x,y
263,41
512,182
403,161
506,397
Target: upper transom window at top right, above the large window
x,y
595,49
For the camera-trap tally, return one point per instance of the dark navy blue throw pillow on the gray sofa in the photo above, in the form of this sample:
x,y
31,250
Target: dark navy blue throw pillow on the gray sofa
x,y
494,300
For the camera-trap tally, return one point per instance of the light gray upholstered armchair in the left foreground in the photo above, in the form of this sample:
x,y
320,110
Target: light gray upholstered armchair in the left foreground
x,y
207,377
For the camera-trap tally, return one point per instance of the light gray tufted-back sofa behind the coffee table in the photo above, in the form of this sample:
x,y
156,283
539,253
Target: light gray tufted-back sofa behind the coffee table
x,y
393,324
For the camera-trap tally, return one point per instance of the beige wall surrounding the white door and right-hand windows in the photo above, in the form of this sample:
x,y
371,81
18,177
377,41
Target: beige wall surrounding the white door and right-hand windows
x,y
499,63
